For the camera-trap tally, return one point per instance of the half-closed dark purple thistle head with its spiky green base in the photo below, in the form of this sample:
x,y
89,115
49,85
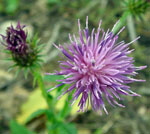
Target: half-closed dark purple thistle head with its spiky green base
x,y
25,53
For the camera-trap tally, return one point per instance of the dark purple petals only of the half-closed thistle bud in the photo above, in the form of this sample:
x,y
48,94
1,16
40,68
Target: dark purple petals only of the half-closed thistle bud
x,y
15,39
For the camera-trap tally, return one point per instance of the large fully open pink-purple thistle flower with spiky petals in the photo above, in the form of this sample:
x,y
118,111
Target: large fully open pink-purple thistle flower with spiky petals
x,y
97,67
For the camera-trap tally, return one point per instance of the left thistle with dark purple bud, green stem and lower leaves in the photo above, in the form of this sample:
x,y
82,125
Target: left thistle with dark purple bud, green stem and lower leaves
x,y
25,52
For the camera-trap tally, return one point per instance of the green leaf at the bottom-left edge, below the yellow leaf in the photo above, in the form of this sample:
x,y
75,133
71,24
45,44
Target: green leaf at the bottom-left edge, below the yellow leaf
x,y
17,128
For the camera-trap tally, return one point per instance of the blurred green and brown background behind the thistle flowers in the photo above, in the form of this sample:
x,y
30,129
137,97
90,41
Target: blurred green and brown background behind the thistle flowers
x,y
53,20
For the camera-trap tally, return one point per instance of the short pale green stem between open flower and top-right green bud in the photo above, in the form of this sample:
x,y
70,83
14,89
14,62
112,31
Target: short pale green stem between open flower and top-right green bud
x,y
121,22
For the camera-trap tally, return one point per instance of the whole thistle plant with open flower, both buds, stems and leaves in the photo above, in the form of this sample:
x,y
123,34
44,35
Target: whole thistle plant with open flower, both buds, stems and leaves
x,y
96,70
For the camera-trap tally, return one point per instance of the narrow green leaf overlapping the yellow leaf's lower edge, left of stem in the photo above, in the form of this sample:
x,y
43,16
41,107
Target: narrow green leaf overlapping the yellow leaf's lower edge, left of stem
x,y
36,114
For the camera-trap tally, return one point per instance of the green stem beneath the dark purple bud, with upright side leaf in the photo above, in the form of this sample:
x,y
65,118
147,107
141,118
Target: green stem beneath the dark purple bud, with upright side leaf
x,y
52,117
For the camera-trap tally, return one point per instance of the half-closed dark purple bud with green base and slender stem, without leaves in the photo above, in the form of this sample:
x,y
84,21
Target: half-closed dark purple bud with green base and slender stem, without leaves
x,y
25,52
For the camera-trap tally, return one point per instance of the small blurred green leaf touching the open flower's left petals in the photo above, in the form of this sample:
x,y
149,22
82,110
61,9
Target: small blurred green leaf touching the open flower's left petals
x,y
52,78
